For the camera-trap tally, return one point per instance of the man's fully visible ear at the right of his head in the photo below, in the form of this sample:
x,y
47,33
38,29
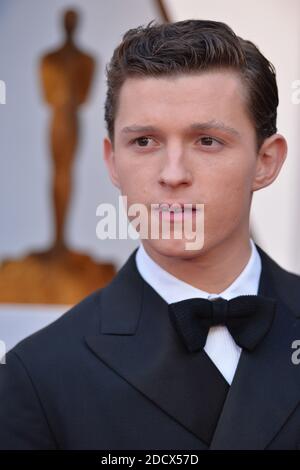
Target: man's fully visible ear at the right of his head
x,y
270,159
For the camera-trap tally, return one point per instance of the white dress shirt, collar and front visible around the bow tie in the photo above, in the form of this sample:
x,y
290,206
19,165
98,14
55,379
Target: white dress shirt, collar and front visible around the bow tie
x,y
220,346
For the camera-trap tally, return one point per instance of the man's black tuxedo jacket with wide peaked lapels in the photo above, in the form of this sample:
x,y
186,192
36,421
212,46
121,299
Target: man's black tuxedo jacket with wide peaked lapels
x,y
112,373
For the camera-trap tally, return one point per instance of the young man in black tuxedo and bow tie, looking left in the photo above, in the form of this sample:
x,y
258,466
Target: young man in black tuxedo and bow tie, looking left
x,y
191,118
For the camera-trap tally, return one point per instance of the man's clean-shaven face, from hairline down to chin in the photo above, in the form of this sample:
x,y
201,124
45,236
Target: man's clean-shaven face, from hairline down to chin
x,y
196,145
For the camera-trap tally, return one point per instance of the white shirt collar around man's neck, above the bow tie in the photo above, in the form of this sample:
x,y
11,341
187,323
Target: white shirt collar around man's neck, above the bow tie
x,y
172,289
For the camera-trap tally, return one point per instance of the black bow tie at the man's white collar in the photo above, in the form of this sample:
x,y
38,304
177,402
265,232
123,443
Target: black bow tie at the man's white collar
x,y
247,317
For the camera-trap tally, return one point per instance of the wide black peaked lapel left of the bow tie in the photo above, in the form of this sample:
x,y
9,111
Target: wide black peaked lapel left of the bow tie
x,y
138,341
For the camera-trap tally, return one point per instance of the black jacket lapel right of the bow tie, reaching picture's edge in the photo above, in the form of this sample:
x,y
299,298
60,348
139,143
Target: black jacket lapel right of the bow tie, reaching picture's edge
x,y
266,386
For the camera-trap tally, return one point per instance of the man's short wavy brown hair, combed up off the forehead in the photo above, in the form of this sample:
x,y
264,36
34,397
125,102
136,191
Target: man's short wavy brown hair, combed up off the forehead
x,y
190,46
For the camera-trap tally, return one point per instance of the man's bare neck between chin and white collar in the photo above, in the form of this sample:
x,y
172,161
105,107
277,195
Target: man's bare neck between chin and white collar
x,y
213,270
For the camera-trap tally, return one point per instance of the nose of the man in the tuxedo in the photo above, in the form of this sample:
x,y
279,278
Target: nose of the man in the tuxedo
x,y
174,171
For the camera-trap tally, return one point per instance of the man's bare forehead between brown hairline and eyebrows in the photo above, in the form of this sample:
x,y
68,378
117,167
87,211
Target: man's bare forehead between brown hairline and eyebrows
x,y
143,102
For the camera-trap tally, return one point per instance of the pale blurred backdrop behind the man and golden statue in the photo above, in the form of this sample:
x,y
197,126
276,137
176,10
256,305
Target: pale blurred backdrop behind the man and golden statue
x,y
31,28
